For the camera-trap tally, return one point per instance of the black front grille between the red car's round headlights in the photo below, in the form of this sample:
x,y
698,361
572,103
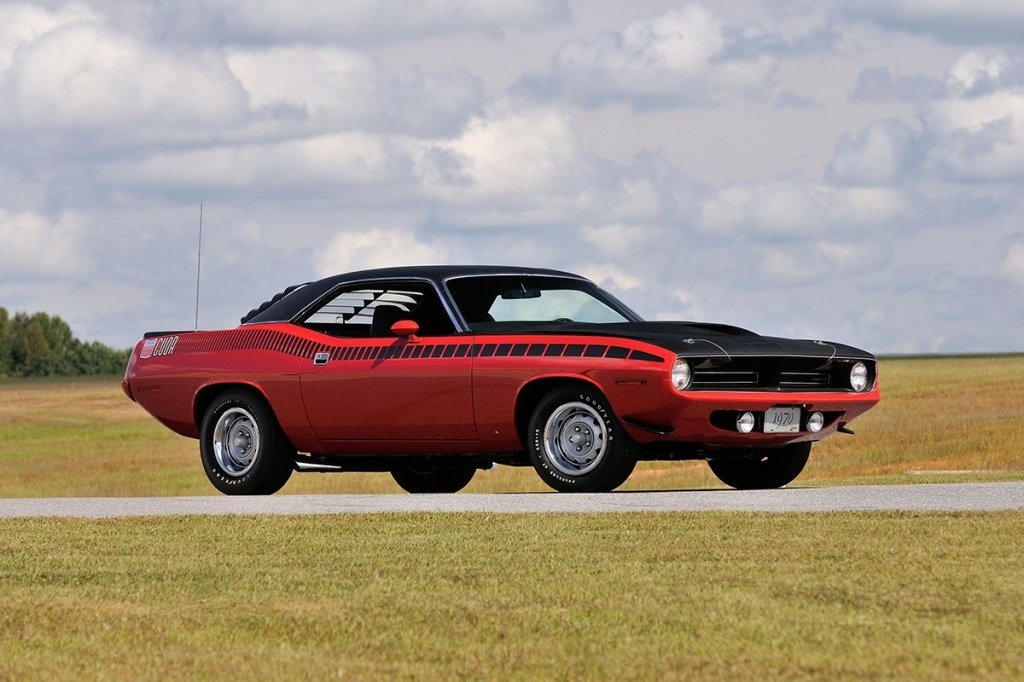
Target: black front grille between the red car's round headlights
x,y
772,374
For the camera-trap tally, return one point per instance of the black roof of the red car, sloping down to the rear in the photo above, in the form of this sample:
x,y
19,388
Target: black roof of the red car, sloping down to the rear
x,y
292,302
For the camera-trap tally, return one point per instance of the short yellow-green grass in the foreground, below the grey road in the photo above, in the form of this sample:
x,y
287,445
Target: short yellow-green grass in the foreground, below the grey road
x,y
473,596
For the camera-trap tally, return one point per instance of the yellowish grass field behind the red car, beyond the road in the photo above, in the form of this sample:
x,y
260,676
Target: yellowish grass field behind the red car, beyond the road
x,y
84,438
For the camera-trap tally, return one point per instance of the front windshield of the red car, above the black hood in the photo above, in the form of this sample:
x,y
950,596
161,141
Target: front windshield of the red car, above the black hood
x,y
487,302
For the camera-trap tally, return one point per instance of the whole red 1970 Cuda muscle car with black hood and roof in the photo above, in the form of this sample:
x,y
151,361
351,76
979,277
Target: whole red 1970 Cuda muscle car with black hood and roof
x,y
433,373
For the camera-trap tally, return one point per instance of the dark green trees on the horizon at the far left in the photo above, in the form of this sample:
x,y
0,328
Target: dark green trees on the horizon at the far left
x,y
41,346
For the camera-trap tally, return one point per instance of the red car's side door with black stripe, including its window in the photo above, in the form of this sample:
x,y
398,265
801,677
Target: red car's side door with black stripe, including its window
x,y
373,386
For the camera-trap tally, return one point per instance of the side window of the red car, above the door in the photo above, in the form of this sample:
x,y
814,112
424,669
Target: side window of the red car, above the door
x,y
370,311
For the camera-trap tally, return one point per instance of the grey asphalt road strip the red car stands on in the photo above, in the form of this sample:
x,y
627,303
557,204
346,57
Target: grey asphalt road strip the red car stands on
x,y
959,497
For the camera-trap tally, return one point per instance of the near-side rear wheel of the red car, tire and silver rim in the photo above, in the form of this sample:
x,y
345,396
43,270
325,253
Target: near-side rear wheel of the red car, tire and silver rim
x,y
244,451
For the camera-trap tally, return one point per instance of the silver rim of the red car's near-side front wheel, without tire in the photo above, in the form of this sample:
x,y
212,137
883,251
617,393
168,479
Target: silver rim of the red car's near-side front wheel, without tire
x,y
575,439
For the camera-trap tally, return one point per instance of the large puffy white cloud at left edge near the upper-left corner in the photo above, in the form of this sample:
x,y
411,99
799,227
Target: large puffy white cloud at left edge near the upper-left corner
x,y
82,75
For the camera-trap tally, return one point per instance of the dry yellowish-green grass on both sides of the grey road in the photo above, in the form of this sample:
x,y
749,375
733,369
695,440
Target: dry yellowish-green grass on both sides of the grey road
x,y
474,596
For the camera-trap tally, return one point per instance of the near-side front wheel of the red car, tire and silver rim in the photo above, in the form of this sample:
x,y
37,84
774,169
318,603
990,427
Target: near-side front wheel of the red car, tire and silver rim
x,y
576,443
